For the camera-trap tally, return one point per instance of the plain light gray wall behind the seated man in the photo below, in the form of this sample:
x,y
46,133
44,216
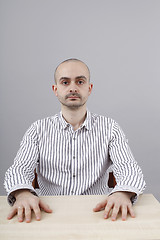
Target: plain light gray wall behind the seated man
x,y
120,42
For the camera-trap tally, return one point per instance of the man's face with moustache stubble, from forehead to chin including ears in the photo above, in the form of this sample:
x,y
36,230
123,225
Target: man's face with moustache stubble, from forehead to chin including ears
x,y
72,84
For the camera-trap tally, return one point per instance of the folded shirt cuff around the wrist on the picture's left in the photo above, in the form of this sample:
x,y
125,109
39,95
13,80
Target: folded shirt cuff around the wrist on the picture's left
x,y
11,198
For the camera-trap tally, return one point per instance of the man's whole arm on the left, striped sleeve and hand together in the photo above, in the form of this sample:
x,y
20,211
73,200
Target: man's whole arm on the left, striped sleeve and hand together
x,y
19,178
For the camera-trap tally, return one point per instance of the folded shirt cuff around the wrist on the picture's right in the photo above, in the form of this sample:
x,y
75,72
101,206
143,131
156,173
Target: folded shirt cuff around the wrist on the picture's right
x,y
126,188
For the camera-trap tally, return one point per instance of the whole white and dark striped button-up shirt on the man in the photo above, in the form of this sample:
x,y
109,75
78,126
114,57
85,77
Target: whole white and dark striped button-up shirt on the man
x,y
72,162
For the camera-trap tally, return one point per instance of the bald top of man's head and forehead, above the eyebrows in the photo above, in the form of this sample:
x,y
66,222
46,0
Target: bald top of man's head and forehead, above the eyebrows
x,y
69,66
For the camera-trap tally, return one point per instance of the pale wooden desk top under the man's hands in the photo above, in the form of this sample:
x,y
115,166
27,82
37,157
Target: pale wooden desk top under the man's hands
x,y
73,218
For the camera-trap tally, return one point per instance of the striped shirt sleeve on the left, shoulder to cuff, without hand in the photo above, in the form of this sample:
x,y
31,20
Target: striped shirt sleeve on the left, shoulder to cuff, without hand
x,y
21,174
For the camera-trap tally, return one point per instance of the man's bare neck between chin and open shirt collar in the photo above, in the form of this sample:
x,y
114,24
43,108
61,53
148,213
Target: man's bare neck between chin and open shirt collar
x,y
75,117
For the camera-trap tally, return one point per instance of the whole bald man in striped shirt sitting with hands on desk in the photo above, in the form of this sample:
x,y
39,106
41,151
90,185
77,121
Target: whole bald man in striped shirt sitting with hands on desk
x,y
73,153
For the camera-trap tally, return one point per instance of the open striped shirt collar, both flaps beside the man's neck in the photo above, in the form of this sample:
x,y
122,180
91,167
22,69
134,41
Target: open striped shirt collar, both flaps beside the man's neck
x,y
87,123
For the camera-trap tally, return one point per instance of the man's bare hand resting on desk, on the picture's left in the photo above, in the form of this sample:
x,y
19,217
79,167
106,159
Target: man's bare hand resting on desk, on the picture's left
x,y
25,203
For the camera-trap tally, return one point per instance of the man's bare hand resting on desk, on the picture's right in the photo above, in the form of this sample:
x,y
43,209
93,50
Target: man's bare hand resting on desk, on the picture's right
x,y
118,201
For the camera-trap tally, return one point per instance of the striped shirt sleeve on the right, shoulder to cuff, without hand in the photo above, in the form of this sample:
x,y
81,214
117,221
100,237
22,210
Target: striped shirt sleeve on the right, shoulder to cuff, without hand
x,y
128,174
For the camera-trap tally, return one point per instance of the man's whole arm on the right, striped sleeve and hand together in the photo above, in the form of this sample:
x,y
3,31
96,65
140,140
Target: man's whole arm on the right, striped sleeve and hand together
x,y
128,175
